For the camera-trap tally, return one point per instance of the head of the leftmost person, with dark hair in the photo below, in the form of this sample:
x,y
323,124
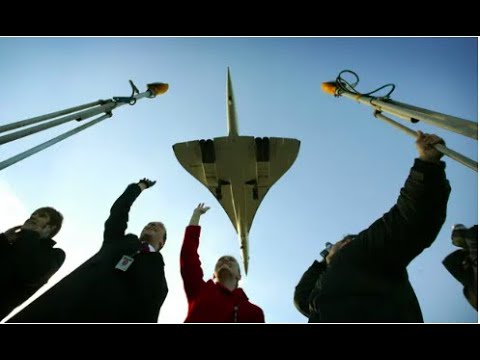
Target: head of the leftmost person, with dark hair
x,y
45,221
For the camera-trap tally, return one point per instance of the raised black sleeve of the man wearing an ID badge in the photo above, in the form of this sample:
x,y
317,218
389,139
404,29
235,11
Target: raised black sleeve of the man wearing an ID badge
x,y
116,224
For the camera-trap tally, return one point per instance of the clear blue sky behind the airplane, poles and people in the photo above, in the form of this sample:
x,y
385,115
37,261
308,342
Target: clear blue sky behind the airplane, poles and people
x,y
349,170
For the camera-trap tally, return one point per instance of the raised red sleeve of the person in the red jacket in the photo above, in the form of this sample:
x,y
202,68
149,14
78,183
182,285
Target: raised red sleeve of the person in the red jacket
x,y
190,265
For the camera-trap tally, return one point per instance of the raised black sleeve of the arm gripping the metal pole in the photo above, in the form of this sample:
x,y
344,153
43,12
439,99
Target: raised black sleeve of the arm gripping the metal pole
x,y
414,222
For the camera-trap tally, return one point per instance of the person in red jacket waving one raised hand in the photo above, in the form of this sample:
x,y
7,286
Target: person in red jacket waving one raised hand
x,y
217,300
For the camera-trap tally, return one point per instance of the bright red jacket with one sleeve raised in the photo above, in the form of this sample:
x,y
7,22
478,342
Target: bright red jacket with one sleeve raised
x,y
209,301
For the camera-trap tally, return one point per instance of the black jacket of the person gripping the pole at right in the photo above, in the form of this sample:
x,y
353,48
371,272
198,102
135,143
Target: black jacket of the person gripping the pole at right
x,y
367,280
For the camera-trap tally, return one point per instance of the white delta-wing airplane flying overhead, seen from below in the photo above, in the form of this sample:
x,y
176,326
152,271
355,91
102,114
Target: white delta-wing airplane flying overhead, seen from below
x,y
238,170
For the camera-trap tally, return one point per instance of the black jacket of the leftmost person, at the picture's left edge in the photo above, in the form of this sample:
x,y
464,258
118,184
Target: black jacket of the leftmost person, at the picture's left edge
x,y
25,266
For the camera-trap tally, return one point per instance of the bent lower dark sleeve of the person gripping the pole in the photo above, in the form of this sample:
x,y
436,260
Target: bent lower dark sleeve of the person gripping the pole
x,y
306,285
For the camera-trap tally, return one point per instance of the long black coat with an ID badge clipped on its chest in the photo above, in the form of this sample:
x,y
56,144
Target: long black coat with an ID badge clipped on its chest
x,y
96,291
